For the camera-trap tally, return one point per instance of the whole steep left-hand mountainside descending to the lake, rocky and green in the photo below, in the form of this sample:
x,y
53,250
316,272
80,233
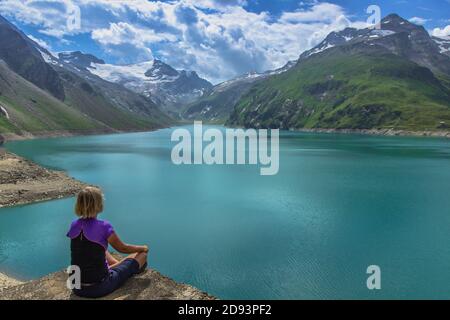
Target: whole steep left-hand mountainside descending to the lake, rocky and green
x,y
40,93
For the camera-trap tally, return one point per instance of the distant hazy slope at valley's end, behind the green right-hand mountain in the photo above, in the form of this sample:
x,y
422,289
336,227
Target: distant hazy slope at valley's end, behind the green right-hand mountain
x,y
216,105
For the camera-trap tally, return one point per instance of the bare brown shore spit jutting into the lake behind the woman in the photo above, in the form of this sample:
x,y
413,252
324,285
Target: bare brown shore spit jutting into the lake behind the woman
x,y
23,182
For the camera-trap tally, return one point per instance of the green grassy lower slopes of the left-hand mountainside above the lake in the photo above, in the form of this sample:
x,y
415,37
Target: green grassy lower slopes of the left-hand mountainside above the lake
x,y
85,109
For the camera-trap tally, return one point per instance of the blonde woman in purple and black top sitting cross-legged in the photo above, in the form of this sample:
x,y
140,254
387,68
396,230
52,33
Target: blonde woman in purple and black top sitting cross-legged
x,y
101,273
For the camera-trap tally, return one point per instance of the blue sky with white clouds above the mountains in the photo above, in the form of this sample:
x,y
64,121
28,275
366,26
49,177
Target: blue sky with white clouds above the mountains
x,y
220,39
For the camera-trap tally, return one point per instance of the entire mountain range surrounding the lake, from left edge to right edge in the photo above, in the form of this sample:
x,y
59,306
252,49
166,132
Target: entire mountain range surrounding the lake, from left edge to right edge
x,y
393,77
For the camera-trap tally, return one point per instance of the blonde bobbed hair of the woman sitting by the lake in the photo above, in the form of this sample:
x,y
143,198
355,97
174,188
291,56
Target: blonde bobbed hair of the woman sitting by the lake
x,y
89,203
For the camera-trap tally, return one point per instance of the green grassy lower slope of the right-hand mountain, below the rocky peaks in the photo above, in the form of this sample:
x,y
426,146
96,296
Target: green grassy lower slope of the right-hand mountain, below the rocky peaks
x,y
339,89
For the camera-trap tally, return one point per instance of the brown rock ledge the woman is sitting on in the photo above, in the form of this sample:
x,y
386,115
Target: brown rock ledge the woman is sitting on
x,y
150,285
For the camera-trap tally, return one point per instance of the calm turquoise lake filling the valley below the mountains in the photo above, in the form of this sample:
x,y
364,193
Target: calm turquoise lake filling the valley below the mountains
x,y
338,204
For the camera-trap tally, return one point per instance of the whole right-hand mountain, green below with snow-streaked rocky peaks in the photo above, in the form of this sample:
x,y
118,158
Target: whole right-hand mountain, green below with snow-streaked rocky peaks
x,y
396,77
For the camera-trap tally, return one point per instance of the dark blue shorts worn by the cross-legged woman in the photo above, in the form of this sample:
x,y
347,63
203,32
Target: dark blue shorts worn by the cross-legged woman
x,y
116,278
